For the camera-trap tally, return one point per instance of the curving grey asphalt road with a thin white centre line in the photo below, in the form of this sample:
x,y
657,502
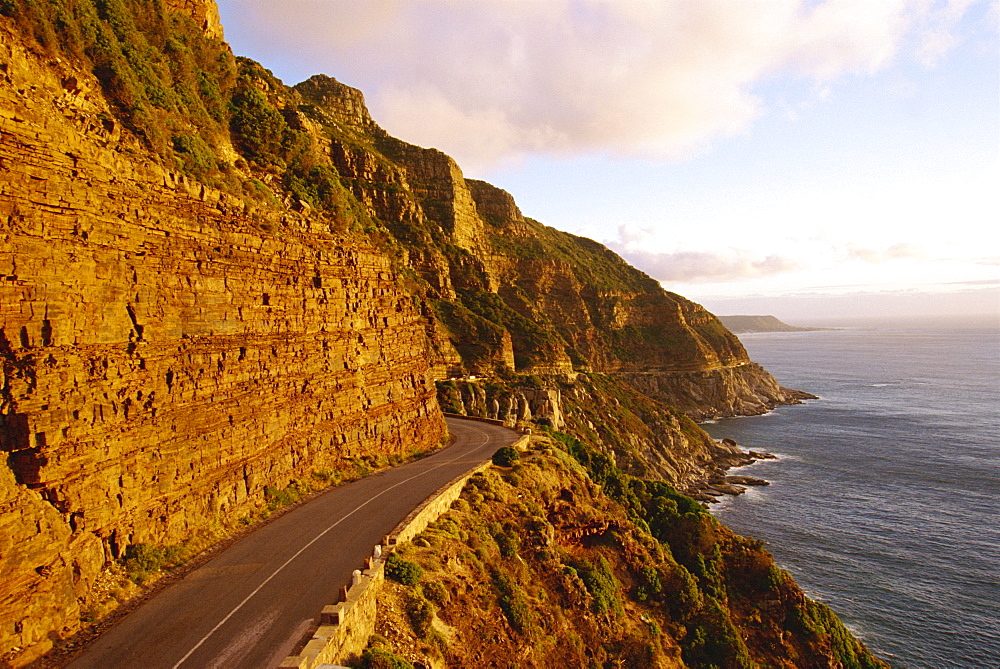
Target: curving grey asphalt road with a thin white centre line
x,y
251,604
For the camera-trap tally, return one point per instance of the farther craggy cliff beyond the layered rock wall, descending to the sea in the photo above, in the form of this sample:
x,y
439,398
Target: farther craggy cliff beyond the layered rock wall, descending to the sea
x,y
515,295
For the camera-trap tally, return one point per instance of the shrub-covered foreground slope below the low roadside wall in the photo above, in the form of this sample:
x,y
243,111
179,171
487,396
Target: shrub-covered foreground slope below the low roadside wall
x,y
563,560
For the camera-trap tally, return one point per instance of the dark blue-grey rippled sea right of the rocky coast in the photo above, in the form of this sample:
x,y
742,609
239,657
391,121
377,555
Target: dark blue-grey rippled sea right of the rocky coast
x,y
884,503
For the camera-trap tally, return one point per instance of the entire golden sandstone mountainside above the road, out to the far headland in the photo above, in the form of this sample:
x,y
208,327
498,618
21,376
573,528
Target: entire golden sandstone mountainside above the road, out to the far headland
x,y
213,285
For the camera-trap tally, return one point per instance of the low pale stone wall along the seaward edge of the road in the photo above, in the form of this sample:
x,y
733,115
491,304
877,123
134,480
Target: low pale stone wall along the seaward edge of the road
x,y
345,627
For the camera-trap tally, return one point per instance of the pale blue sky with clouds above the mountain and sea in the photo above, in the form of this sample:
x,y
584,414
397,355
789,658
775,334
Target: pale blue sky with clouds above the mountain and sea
x,y
811,159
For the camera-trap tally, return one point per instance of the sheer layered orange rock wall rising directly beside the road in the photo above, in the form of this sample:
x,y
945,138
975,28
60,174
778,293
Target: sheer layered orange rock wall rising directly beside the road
x,y
167,351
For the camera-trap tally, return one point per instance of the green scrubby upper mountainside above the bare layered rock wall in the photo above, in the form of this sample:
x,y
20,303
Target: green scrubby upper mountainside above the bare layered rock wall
x,y
564,301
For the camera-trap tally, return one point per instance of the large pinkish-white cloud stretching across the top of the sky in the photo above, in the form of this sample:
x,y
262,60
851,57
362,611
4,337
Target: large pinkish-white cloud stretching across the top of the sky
x,y
492,80
